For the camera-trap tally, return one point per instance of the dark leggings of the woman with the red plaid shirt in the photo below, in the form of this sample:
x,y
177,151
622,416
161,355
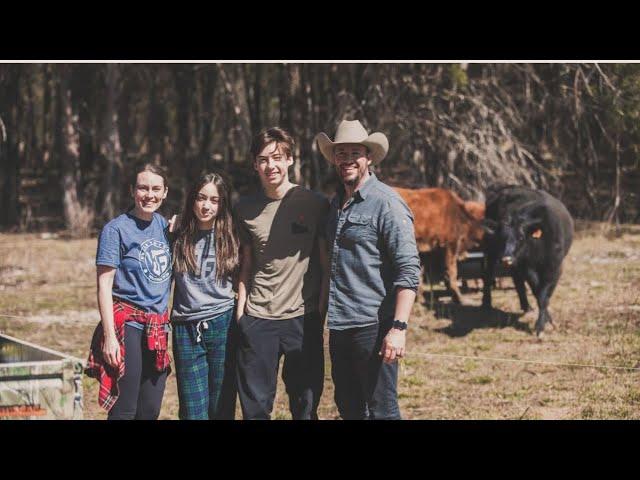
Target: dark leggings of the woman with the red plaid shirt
x,y
142,386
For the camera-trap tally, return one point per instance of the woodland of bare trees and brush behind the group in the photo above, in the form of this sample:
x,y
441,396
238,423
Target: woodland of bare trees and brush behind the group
x,y
69,133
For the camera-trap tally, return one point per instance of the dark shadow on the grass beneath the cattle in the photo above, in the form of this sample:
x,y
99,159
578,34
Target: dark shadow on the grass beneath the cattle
x,y
466,318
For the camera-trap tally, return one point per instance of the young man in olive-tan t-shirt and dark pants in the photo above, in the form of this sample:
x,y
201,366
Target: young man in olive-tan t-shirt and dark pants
x,y
282,286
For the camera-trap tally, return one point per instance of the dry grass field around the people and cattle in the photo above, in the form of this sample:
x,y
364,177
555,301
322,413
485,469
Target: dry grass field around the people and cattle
x,y
47,296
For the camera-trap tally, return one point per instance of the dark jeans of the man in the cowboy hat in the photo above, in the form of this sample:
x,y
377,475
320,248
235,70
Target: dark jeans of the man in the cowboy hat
x,y
365,387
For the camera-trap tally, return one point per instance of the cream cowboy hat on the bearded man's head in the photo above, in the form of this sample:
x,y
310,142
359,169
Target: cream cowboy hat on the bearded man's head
x,y
352,131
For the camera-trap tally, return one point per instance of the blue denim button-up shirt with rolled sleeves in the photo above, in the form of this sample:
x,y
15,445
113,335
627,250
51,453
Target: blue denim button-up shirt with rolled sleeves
x,y
373,252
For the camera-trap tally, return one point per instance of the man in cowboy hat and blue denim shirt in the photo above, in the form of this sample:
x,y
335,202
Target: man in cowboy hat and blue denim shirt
x,y
374,276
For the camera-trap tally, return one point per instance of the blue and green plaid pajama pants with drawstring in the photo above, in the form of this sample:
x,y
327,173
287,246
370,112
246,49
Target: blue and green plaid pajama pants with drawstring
x,y
203,354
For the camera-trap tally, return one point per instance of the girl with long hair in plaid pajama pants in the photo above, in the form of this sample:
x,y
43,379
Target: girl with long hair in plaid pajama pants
x,y
205,262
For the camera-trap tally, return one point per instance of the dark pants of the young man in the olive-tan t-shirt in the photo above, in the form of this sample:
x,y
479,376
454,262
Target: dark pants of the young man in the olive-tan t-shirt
x,y
261,344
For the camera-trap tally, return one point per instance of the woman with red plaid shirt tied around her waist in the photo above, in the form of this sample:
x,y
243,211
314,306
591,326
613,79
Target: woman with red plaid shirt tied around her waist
x,y
129,348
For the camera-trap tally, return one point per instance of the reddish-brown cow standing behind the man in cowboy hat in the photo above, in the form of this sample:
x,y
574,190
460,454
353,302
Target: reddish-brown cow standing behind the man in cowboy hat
x,y
442,219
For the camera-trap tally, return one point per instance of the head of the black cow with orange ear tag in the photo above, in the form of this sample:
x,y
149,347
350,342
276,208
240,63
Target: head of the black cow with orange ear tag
x,y
515,233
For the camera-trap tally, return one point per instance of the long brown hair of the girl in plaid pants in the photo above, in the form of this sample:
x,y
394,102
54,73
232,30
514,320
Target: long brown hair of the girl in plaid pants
x,y
227,244
